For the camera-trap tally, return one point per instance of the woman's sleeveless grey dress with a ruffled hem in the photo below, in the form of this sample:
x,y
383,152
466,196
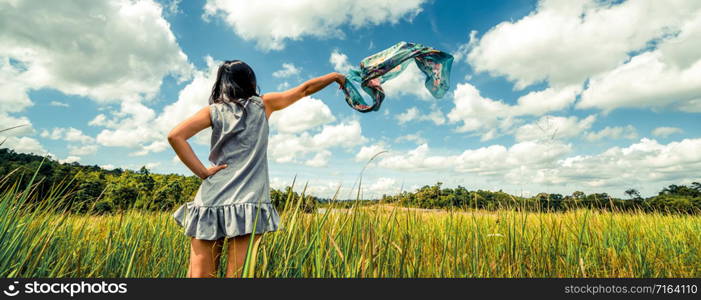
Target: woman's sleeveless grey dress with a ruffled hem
x,y
227,202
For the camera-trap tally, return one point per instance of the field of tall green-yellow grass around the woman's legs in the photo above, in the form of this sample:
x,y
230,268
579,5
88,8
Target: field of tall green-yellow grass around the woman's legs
x,y
371,241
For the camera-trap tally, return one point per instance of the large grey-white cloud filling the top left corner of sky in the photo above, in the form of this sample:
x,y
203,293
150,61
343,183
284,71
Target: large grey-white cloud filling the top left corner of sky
x,y
108,51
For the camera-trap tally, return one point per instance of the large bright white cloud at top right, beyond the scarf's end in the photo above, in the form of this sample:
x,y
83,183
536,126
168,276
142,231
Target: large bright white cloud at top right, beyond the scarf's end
x,y
588,37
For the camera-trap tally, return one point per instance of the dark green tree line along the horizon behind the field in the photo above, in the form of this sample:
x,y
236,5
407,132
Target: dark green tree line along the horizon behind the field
x,y
92,189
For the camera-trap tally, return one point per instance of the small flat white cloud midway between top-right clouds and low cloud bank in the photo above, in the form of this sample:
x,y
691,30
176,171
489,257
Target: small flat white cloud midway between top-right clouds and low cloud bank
x,y
552,127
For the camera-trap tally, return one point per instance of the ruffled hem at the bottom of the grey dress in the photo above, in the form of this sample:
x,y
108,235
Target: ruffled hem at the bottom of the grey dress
x,y
215,222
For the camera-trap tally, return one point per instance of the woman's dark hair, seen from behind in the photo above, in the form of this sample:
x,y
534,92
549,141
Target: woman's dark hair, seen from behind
x,y
235,80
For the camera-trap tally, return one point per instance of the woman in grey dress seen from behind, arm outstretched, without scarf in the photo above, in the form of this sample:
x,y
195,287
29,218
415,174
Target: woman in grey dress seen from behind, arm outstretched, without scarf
x,y
235,193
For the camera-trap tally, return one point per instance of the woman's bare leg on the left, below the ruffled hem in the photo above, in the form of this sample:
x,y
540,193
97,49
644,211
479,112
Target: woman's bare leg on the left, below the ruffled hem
x,y
204,258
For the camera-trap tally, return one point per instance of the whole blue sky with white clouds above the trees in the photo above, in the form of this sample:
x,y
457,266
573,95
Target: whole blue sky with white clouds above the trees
x,y
550,96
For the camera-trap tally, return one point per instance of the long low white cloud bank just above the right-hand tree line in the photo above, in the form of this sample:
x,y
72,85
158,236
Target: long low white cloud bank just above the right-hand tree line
x,y
645,163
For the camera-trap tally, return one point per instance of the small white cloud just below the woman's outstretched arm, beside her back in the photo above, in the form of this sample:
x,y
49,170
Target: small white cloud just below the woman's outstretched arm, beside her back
x,y
302,115
